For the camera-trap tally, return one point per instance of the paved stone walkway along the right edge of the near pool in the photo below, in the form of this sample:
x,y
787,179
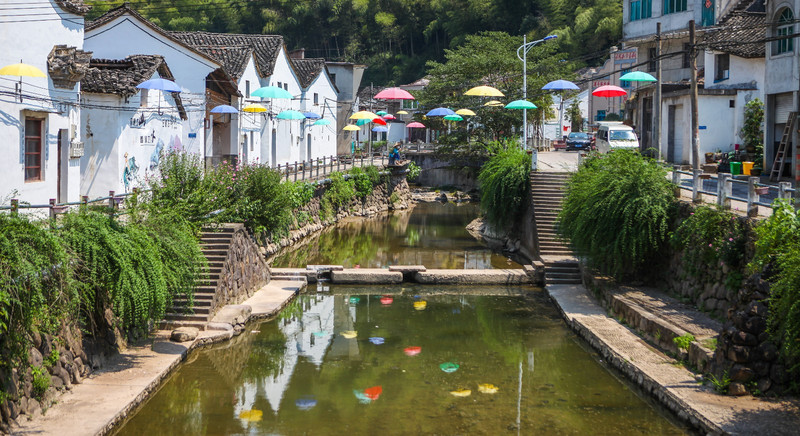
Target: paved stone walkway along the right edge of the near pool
x,y
672,384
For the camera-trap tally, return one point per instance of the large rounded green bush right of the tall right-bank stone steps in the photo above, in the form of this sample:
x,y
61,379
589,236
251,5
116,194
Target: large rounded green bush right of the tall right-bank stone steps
x,y
616,211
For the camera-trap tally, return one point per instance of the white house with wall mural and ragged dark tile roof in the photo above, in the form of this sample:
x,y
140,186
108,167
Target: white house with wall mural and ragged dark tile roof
x,y
126,129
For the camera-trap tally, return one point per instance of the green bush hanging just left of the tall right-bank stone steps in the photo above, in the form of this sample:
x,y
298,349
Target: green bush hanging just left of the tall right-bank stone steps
x,y
504,183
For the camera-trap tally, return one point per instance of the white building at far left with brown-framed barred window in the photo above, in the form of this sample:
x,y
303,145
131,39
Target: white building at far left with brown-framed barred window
x,y
40,115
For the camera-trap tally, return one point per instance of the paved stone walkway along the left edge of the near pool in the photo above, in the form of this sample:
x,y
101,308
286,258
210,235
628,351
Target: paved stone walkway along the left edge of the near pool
x,y
106,398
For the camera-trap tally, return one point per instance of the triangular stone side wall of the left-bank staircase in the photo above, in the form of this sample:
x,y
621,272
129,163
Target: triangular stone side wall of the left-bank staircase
x,y
244,272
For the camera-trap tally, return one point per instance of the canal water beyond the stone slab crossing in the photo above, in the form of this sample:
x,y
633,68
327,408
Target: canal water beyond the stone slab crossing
x,y
430,234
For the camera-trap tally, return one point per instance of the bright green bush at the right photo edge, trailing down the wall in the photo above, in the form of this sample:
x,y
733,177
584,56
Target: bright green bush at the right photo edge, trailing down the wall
x,y
778,253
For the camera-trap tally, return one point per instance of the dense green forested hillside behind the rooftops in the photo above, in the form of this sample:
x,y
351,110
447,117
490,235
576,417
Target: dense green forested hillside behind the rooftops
x,y
394,37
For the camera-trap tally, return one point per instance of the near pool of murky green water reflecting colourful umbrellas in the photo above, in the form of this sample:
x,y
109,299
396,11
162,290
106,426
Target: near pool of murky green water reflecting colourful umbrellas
x,y
496,339
